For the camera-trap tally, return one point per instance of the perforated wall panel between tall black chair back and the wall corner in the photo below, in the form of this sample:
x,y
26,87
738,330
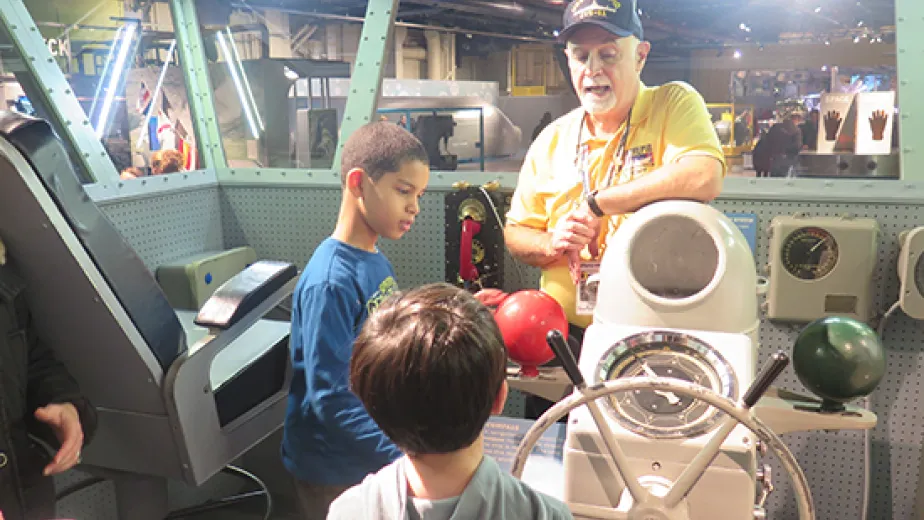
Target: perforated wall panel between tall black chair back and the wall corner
x,y
164,227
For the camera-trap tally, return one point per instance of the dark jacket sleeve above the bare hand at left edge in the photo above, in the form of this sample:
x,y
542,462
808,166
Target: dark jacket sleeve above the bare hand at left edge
x,y
48,381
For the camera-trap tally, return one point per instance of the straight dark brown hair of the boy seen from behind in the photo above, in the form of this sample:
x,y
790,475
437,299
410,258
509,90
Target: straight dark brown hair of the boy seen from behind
x,y
428,366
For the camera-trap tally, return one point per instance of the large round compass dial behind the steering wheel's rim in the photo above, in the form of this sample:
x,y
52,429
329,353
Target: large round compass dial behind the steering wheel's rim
x,y
664,415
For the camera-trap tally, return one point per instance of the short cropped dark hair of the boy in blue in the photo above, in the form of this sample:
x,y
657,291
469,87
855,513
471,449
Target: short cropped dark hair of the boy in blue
x,y
379,148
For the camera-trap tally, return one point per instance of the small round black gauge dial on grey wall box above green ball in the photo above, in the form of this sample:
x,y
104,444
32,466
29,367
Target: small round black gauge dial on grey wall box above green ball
x,y
809,253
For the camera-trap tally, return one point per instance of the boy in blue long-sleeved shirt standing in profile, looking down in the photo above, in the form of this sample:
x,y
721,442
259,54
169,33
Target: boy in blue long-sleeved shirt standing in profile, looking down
x,y
329,441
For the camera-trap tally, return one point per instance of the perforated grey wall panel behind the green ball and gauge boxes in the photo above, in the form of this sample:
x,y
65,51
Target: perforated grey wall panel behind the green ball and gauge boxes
x,y
833,461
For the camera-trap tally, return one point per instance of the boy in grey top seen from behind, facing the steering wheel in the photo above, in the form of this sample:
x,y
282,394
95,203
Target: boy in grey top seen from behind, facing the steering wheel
x,y
430,367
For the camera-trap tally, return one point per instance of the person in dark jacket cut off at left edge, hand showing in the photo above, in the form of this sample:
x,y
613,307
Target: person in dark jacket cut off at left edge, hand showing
x,y
45,421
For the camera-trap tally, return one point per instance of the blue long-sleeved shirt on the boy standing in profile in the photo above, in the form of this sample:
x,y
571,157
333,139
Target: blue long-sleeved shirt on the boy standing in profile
x,y
328,437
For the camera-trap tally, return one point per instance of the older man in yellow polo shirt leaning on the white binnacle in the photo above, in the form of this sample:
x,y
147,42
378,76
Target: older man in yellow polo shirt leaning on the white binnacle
x,y
627,145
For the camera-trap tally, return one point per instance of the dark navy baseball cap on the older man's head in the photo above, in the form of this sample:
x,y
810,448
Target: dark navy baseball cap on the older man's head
x,y
619,17
